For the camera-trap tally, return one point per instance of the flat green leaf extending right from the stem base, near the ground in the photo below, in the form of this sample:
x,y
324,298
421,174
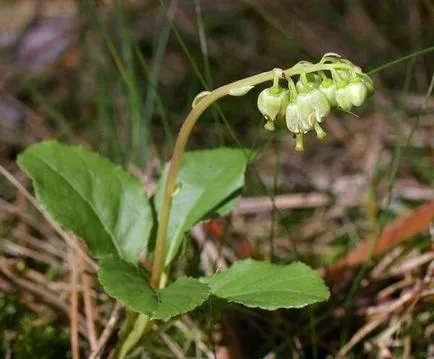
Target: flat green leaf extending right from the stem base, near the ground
x,y
268,286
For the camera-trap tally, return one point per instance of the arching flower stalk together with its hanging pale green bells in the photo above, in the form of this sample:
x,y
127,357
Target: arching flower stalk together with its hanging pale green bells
x,y
277,101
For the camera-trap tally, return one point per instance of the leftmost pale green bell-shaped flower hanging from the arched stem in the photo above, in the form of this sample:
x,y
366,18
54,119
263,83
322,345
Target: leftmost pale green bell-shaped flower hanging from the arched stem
x,y
272,102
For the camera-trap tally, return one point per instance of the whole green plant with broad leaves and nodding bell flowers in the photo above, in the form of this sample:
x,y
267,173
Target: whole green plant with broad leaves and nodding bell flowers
x,y
108,209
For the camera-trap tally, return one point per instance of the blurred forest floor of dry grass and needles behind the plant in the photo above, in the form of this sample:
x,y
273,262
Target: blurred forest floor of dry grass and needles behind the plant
x,y
119,78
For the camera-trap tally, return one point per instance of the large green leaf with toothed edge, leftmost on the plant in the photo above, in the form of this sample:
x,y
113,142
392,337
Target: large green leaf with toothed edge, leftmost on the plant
x,y
91,197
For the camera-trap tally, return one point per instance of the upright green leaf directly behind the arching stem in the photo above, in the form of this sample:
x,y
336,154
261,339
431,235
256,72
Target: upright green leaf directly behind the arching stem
x,y
210,183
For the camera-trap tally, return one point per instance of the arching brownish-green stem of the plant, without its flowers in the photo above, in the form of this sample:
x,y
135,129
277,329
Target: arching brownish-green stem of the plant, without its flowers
x,y
183,137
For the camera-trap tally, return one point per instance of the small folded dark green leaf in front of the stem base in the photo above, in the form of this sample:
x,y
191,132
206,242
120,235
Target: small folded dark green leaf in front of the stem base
x,y
129,285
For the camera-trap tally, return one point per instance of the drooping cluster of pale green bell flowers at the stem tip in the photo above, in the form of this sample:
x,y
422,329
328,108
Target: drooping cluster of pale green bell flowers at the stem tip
x,y
333,82
